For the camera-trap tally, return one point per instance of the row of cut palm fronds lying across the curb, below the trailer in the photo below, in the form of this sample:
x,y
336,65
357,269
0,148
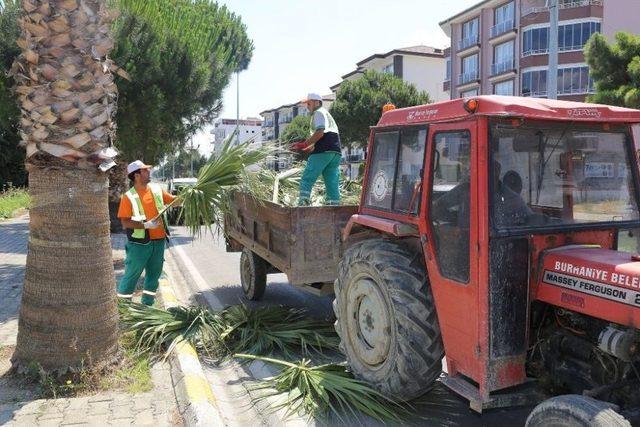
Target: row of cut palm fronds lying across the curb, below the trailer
x,y
263,331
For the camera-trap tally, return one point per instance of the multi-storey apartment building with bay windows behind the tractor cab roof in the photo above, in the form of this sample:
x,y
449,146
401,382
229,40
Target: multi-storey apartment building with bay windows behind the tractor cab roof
x,y
502,46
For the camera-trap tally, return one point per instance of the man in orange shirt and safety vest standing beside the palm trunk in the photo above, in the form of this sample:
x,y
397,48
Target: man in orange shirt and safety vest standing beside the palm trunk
x,y
146,235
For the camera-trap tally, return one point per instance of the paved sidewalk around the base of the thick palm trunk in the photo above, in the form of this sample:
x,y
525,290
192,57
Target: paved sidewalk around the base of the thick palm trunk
x,y
156,408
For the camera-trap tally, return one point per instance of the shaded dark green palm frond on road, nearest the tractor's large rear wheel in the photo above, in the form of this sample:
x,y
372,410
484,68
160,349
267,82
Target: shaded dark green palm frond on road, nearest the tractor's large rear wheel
x,y
272,329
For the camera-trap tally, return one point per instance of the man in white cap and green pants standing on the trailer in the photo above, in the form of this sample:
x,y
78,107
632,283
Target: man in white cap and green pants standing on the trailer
x,y
324,146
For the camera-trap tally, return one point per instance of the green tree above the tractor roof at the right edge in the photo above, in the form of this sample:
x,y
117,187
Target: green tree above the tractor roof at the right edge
x,y
615,69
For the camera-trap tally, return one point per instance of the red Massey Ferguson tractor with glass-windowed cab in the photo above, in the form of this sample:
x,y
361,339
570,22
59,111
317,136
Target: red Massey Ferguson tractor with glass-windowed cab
x,y
526,216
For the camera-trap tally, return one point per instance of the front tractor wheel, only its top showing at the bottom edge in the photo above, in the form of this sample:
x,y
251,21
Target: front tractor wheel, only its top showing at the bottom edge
x,y
573,410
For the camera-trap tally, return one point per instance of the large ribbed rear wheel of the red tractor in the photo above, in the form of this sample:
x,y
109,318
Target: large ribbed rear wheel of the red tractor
x,y
386,318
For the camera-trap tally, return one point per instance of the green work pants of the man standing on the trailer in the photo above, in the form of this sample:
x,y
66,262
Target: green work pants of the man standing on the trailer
x,y
326,164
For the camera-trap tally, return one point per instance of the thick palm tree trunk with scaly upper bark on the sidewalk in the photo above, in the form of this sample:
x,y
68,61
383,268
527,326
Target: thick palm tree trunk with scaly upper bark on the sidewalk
x,y
67,95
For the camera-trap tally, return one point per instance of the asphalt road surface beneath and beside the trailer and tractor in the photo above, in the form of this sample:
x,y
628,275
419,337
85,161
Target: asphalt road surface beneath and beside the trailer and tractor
x,y
213,278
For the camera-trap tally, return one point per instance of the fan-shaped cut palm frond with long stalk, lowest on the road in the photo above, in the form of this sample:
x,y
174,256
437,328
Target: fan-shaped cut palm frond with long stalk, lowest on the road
x,y
321,390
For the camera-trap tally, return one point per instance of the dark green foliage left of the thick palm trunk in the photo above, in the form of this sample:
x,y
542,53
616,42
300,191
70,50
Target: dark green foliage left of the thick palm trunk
x,y
11,155
